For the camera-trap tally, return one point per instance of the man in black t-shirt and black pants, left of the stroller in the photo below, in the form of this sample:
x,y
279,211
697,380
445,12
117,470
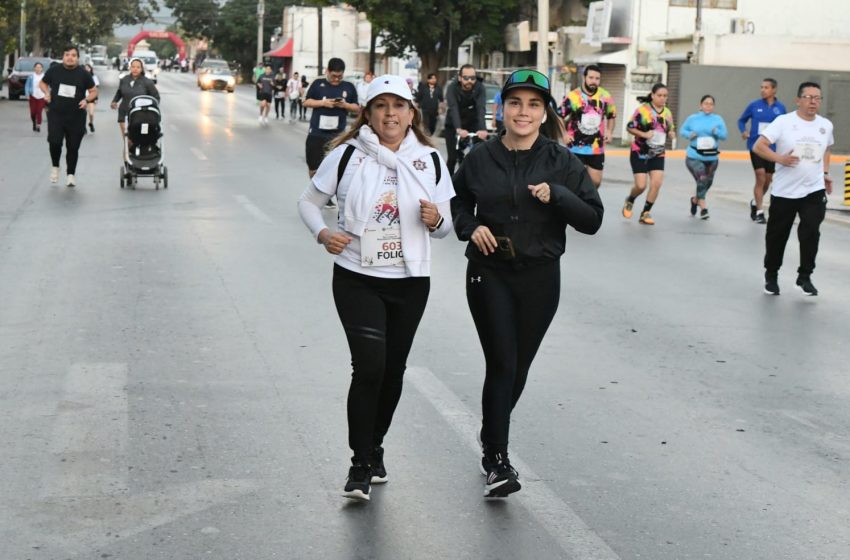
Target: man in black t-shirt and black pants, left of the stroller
x,y
68,89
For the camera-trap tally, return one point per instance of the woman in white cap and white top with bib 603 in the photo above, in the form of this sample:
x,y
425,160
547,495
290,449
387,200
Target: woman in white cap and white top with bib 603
x,y
393,191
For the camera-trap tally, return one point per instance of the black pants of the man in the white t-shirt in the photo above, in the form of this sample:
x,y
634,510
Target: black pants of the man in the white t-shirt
x,y
812,210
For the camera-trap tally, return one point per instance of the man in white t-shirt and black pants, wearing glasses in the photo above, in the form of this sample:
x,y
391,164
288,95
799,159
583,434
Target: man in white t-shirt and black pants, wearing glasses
x,y
800,185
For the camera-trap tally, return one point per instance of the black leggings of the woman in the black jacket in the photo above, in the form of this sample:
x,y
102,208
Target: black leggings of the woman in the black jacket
x,y
512,310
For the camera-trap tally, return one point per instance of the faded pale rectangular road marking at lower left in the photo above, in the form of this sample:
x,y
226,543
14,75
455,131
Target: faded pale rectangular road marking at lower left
x,y
89,443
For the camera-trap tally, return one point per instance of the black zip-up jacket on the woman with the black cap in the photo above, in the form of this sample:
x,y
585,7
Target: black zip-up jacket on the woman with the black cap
x,y
491,189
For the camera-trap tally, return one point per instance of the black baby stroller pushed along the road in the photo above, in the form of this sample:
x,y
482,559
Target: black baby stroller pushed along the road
x,y
143,144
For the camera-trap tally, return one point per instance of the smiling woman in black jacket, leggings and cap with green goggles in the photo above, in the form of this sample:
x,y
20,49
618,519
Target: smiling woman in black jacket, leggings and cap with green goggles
x,y
516,195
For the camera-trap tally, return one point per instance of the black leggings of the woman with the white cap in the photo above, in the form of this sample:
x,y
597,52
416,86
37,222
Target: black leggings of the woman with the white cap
x,y
380,317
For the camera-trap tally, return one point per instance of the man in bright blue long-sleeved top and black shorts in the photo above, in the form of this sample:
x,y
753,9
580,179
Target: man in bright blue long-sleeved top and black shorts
x,y
760,113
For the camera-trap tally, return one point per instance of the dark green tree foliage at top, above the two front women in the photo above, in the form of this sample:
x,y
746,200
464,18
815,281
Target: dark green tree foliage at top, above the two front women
x,y
426,26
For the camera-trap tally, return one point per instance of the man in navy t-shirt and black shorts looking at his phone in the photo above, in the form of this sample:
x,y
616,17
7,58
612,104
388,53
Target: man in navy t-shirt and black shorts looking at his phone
x,y
331,99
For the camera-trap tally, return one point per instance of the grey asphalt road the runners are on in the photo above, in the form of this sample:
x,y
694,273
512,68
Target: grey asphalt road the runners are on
x,y
173,374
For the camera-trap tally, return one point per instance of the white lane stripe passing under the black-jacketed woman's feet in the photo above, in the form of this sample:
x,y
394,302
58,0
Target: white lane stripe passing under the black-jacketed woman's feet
x,y
561,522
